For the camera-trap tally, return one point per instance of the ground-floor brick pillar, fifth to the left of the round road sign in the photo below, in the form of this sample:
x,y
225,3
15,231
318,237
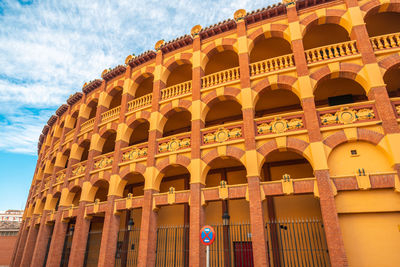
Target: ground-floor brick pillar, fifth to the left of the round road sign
x,y
57,241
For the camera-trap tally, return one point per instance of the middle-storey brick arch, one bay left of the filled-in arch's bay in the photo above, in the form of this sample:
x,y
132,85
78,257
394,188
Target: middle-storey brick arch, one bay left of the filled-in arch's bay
x,y
283,82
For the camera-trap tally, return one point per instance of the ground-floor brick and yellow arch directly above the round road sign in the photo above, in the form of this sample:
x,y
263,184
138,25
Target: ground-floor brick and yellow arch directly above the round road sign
x,y
231,151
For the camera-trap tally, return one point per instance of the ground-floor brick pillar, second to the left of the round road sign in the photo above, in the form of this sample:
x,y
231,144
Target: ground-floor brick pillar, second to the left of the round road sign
x,y
148,231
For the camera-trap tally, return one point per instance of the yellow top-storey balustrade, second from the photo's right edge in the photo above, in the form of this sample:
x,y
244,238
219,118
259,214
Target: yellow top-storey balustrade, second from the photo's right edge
x,y
331,51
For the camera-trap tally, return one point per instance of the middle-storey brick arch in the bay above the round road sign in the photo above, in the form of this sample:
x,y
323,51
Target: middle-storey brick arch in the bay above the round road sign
x,y
215,96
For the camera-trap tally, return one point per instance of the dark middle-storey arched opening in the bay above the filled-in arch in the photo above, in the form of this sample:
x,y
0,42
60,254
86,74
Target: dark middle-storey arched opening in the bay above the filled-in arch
x,y
338,91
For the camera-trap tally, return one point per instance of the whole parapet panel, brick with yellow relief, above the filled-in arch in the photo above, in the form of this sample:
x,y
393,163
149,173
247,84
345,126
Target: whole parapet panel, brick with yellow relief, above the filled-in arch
x,y
348,114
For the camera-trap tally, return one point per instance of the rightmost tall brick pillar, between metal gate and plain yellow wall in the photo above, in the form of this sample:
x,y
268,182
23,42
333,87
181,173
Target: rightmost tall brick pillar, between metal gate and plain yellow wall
x,y
333,233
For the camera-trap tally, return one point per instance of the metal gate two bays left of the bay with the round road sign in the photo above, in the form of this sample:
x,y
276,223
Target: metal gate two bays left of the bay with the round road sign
x,y
127,248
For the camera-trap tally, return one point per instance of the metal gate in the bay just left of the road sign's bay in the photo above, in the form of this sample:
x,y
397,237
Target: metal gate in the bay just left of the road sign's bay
x,y
172,246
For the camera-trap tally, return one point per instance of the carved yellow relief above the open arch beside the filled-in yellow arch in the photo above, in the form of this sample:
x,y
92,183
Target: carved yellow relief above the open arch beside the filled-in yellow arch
x,y
279,125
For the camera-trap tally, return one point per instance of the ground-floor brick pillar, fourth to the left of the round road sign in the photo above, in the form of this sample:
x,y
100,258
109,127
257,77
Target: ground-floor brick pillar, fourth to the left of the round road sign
x,y
80,237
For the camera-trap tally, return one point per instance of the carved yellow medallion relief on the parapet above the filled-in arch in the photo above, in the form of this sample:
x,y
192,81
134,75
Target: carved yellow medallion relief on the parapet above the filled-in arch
x,y
347,116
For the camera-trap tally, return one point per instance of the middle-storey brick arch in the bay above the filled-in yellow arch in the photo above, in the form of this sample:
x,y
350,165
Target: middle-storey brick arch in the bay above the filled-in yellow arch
x,y
342,70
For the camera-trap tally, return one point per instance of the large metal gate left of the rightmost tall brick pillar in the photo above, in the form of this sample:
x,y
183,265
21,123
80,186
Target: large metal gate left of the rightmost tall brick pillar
x,y
299,242
